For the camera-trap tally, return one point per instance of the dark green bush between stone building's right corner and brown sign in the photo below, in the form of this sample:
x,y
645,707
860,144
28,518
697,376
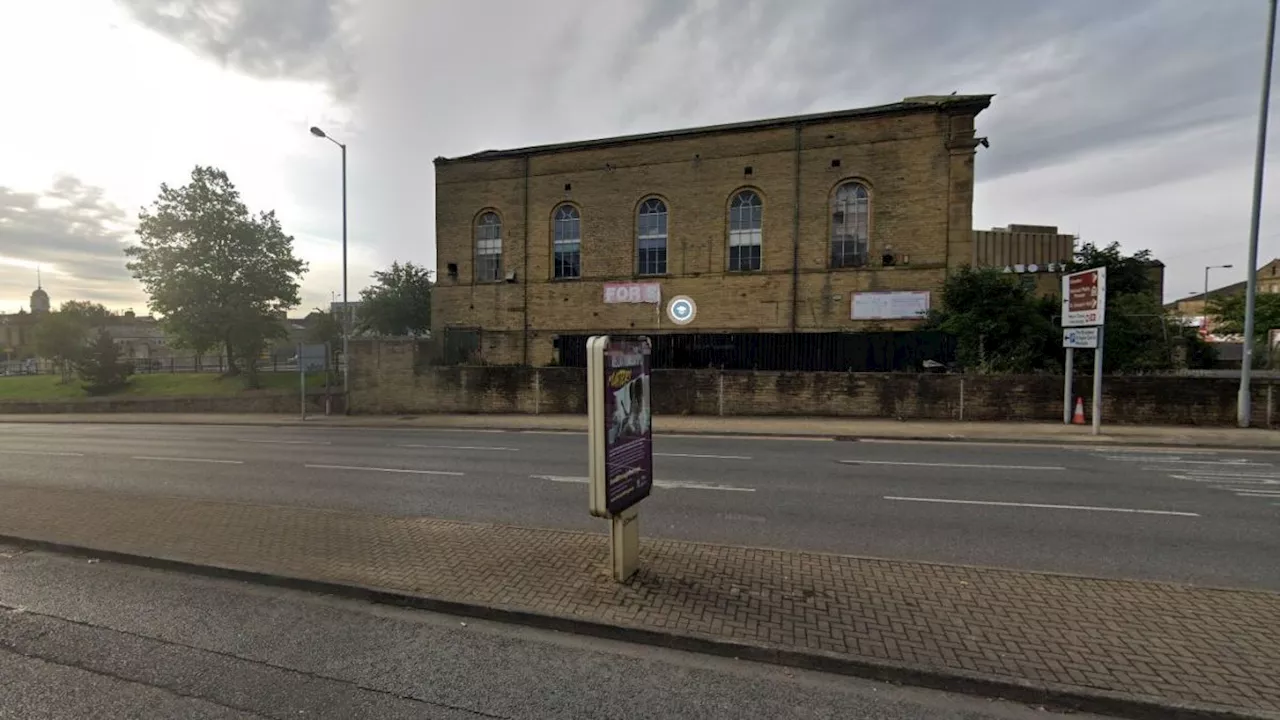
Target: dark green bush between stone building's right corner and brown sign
x,y
1000,327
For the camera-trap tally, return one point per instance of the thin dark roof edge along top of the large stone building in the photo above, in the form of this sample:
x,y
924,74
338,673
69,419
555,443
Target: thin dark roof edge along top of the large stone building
x,y
917,104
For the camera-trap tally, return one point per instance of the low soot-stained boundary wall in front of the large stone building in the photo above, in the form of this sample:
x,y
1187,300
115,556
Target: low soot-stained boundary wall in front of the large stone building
x,y
385,381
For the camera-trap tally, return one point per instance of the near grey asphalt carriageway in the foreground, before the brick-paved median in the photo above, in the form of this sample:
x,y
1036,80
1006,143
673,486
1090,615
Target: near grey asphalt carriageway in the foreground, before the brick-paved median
x,y
104,641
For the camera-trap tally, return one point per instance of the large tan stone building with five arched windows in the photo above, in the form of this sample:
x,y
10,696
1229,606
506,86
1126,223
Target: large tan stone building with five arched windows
x,y
830,222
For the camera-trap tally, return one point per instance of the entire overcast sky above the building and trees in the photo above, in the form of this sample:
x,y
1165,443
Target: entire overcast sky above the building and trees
x,y
1131,122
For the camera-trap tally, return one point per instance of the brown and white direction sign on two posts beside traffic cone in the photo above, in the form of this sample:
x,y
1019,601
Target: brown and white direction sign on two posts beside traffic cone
x,y
1085,304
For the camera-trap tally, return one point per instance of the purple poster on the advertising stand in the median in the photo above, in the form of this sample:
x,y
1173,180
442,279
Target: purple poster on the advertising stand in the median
x,y
628,425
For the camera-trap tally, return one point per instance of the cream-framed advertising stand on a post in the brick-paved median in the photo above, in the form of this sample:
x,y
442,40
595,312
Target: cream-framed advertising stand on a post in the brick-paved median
x,y
620,438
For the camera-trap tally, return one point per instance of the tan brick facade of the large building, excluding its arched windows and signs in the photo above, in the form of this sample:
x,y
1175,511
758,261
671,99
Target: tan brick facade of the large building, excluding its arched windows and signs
x,y
917,166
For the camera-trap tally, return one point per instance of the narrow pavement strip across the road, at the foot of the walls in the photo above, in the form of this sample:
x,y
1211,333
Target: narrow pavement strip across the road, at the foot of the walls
x,y
775,426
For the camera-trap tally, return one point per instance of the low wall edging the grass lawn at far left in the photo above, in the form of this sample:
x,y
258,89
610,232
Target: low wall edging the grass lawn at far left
x,y
271,403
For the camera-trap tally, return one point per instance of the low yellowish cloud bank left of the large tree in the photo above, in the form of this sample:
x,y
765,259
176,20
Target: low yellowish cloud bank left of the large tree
x,y
77,239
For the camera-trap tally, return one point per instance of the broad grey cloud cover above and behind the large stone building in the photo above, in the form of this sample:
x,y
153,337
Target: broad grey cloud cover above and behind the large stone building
x,y
1095,99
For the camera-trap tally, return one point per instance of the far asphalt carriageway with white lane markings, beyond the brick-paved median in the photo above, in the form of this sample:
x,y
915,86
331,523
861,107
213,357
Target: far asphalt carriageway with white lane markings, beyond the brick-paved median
x,y
1197,517
